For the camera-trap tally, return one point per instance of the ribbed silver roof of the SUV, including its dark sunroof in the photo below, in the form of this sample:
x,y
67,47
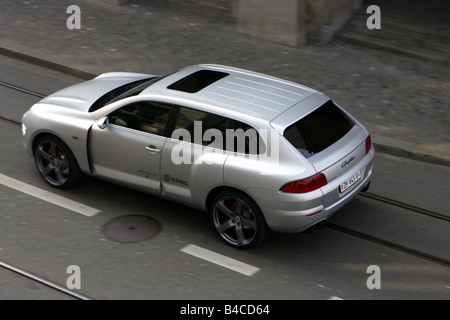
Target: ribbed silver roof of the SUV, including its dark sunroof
x,y
234,89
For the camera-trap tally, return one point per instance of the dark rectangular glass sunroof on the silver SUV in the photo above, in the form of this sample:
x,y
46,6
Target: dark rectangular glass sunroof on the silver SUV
x,y
197,81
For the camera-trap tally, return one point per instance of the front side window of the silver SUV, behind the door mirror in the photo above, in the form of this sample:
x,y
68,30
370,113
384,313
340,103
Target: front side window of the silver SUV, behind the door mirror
x,y
148,117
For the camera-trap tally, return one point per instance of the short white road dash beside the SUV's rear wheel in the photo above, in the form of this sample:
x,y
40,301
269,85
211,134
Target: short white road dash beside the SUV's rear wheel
x,y
220,260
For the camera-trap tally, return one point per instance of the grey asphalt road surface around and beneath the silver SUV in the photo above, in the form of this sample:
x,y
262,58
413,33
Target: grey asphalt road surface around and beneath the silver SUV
x,y
45,239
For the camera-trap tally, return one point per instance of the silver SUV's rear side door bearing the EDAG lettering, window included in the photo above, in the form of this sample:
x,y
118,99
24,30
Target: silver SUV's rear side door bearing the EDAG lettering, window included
x,y
193,156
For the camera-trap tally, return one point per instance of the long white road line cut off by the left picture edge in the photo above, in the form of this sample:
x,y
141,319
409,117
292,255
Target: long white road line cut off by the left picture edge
x,y
48,196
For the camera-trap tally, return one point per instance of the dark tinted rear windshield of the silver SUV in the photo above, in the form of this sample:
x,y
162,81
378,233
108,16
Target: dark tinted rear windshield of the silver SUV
x,y
318,130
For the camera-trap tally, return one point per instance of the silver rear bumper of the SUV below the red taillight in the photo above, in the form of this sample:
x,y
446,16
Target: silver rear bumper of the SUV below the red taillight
x,y
294,213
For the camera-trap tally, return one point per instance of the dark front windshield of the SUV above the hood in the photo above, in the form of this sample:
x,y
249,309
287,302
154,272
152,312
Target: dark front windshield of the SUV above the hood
x,y
122,92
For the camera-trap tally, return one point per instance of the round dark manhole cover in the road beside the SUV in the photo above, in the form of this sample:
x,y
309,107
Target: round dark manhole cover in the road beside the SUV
x,y
132,228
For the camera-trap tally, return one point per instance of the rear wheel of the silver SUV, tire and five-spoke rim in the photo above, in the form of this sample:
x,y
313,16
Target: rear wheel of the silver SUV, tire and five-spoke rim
x,y
238,219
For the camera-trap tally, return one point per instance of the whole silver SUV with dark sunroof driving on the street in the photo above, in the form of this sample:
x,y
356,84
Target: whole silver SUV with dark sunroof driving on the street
x,y
257,152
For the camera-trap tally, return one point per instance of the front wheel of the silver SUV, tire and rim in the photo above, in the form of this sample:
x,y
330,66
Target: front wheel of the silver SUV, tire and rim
x,y
56,163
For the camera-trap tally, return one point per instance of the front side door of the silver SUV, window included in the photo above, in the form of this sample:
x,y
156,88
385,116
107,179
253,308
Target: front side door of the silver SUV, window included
x,y
129,149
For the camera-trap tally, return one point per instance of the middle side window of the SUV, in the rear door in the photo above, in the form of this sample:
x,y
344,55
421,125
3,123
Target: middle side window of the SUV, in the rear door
x,y
200,127
